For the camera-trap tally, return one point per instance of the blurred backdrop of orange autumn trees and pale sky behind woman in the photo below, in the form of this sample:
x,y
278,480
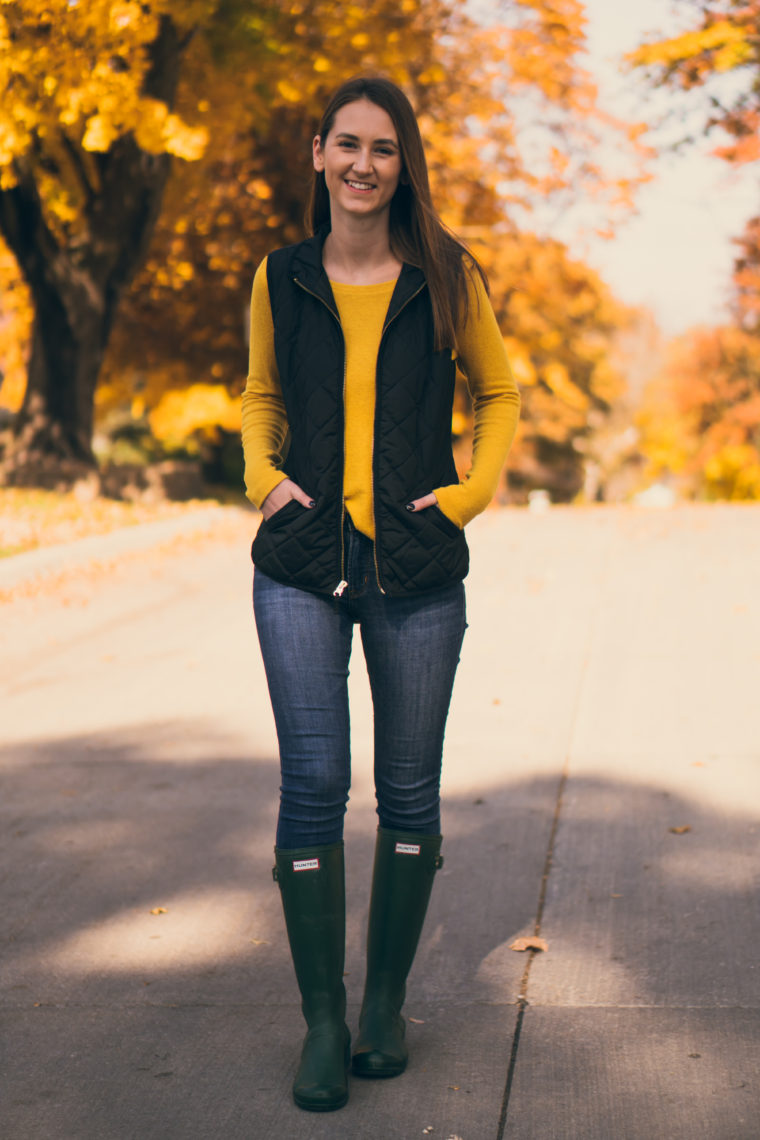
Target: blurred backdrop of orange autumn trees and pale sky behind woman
x,y
599,158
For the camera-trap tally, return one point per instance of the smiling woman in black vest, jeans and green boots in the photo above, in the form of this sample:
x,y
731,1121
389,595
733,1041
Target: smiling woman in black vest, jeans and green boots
x,y
347,430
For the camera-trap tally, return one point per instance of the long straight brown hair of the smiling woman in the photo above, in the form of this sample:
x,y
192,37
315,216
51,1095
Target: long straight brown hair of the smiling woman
x,y
418,235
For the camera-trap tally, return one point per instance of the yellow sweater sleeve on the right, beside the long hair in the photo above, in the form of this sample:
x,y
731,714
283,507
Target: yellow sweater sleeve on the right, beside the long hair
x,y
496,406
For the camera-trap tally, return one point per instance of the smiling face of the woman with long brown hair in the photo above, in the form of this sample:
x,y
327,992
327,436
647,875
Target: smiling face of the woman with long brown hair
x,y
362,160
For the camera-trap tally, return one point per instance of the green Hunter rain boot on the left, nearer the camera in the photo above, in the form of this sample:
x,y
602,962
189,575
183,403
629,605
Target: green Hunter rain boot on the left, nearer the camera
x,y
313,887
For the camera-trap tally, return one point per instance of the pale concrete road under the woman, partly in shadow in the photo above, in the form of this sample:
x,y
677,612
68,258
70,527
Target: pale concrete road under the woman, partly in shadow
x,y
602,789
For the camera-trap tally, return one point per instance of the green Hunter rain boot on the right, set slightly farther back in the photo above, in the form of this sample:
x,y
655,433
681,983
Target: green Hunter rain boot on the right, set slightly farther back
x,y
403,881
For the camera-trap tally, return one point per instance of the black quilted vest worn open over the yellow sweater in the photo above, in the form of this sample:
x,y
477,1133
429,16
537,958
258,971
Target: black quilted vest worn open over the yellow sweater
x,y
303,547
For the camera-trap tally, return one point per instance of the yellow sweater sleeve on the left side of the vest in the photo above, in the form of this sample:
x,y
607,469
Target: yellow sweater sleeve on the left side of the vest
x,y
265,422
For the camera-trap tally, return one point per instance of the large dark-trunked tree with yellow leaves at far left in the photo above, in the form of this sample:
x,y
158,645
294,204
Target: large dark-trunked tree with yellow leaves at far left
x,y
86,133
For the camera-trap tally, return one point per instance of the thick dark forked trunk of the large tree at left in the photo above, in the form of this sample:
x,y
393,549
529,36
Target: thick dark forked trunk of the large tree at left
x,y
77,284
